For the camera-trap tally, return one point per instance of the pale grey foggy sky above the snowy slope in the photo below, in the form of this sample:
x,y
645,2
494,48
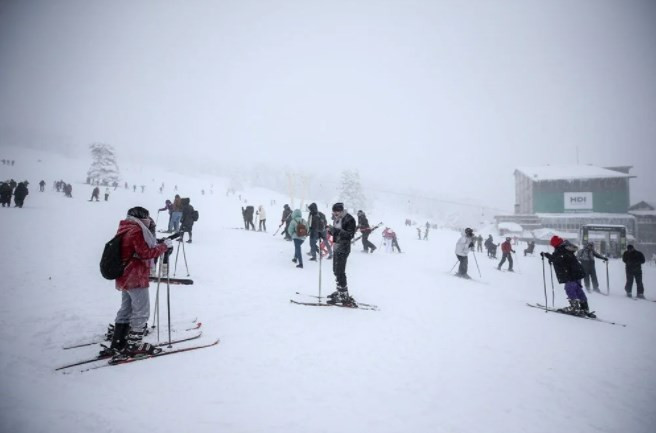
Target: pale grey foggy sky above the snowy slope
x,y
450,95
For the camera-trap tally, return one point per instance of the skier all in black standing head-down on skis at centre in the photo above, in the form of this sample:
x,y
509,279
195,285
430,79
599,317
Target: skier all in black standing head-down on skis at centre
x,y
343,230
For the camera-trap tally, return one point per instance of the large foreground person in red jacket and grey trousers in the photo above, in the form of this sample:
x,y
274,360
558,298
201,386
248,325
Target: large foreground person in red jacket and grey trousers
x,y
138,248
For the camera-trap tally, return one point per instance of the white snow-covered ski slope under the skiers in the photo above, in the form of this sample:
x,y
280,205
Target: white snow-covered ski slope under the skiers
x,y
441,355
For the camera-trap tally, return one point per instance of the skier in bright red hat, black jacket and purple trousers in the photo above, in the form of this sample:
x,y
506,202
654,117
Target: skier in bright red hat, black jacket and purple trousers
x,y
569,272
